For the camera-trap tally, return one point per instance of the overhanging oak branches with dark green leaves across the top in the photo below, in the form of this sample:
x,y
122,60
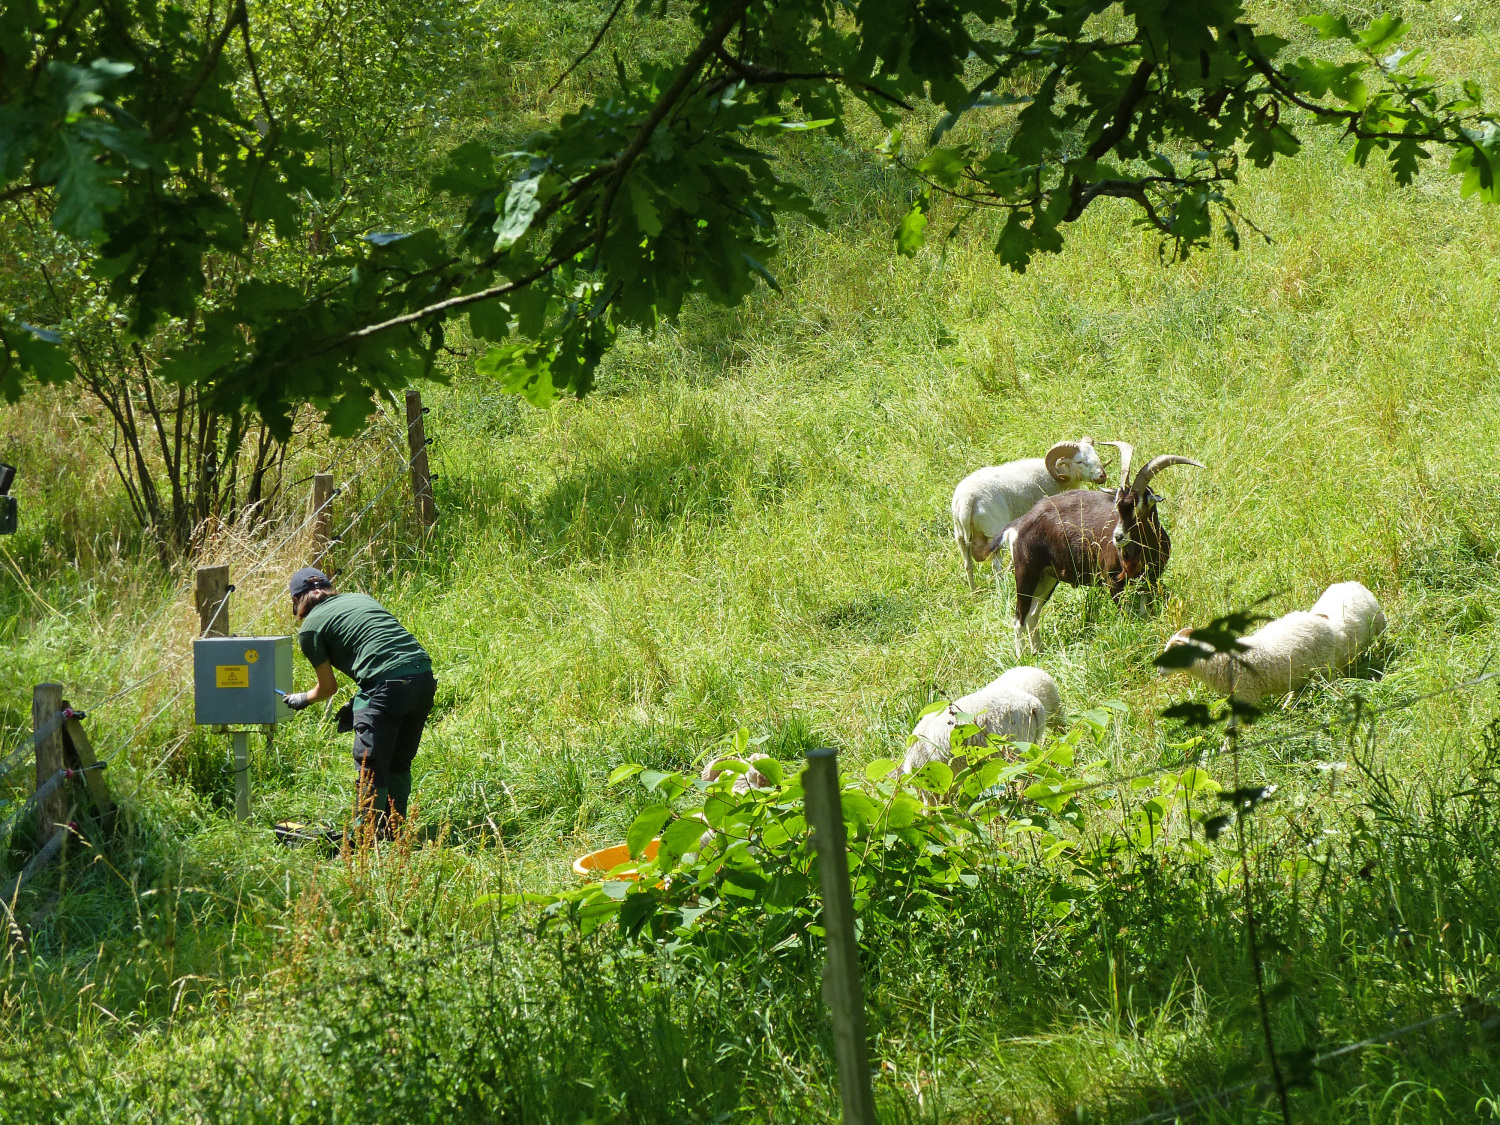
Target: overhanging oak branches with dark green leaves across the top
x,y
146,136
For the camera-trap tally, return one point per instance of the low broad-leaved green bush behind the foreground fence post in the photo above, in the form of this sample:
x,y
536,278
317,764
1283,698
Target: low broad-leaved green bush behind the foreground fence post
x,y
739,869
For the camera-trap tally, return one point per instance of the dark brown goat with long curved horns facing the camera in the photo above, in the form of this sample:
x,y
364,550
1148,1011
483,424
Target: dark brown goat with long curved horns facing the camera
x,y
1088,539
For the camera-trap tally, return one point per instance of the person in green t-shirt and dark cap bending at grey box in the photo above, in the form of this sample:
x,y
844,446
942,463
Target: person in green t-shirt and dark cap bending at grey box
x,y
359,637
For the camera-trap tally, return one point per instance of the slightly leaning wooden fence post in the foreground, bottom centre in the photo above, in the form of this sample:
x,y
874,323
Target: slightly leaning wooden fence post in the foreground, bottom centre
x,y
842,989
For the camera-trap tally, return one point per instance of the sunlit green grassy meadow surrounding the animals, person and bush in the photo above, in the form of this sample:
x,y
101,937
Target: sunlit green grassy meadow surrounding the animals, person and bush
x,y
746,526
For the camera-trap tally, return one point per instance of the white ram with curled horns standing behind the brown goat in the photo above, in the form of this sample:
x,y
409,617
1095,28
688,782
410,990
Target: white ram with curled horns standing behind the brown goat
x,y
992,497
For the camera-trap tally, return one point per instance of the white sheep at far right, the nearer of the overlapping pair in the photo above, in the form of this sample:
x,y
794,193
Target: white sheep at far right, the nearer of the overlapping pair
x,y
1280,658
